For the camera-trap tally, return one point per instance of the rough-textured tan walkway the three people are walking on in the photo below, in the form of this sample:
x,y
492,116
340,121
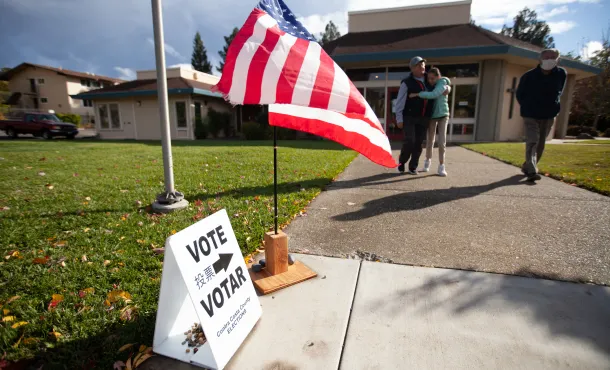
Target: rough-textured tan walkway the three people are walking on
x,y
483,217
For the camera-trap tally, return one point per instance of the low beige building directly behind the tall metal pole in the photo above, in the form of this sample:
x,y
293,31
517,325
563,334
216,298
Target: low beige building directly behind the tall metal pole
x,y
131,111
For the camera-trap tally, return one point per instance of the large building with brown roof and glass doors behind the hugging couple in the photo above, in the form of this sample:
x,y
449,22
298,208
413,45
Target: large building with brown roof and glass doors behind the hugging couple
x,y
484,67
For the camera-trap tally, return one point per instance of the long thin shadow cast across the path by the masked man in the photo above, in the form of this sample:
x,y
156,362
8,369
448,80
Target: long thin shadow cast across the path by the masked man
x,y
410,201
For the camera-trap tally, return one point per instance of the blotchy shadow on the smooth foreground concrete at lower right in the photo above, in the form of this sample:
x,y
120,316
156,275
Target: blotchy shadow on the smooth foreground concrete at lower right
x,y
563,309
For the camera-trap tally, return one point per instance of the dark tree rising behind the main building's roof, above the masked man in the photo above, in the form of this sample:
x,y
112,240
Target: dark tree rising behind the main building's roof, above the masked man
x,y
526,27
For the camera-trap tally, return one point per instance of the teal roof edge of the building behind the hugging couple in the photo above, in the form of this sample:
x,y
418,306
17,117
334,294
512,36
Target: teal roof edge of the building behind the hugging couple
x,y
470,51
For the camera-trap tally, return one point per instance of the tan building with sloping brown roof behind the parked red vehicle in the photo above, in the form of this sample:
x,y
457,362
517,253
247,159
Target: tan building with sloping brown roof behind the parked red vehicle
x,y
38,87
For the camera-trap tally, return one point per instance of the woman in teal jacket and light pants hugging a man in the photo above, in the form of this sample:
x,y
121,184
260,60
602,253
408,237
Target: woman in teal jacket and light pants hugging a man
x,y
440,118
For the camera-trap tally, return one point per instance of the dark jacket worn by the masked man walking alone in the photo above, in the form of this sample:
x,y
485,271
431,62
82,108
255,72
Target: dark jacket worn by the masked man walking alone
x,y
539,95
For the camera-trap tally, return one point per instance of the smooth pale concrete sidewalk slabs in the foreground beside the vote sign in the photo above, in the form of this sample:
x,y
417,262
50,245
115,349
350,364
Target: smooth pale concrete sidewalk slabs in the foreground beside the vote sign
x,y
365,315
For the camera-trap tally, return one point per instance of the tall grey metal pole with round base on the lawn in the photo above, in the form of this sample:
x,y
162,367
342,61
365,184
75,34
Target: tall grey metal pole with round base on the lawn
x,y
170,200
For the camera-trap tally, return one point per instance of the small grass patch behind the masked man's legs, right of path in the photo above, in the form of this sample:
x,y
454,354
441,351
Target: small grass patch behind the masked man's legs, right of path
x,y
587,166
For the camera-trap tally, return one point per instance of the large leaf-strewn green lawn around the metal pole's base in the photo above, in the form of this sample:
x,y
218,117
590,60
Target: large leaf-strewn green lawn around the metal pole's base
x,y
75,223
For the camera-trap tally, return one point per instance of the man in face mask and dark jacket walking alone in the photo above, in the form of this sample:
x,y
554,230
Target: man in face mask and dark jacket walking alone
x,y
539,94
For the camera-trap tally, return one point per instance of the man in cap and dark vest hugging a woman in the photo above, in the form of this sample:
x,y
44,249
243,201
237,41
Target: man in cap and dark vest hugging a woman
x,y
413,115
